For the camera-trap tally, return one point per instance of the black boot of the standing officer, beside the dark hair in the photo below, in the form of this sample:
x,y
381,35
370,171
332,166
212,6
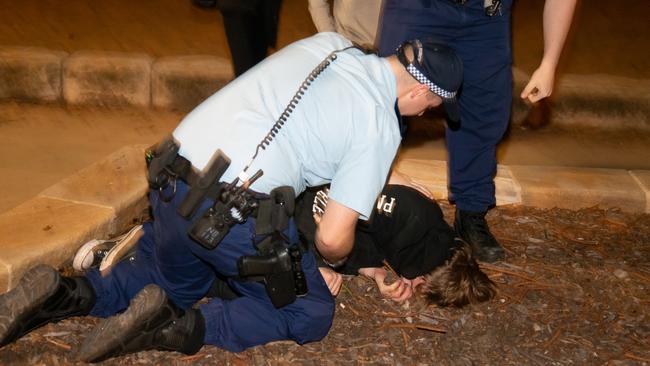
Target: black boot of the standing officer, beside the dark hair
x,y
472,228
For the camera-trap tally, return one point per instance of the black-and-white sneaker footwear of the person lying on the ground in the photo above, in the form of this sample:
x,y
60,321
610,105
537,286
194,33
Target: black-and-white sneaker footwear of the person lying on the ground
x,y
102,254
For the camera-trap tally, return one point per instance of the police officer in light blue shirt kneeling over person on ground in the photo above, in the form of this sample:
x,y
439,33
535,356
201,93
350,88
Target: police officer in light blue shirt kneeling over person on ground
x,y
342,126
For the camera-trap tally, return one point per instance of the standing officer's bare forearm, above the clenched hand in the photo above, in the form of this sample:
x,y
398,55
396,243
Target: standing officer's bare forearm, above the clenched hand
x,y
557,21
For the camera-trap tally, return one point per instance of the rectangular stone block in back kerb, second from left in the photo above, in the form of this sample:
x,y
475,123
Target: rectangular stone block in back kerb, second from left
x,y
107,79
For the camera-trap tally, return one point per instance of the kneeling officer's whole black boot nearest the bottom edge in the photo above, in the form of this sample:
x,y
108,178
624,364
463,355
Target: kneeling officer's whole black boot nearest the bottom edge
x,y
151,321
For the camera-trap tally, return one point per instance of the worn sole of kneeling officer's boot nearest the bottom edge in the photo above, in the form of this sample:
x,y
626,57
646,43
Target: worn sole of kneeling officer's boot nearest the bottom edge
x,y
111,336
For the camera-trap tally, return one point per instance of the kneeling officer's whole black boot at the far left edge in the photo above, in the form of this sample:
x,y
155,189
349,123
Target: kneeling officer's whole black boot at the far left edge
x,y
42,296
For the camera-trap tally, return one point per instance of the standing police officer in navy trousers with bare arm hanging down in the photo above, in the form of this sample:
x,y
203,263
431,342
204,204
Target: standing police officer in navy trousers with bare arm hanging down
x,y
479,32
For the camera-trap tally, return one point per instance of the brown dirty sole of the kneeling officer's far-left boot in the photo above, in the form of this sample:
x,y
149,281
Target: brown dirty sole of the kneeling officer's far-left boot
x,y
32,292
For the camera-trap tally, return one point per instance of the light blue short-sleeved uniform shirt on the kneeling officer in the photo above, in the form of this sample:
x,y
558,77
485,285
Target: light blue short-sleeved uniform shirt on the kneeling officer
x,y
344,130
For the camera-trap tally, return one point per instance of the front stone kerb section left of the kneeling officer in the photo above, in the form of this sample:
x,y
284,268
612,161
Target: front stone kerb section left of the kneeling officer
x,y
96,202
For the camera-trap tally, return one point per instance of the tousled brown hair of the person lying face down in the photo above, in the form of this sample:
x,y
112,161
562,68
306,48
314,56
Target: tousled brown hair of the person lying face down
x,y
458,282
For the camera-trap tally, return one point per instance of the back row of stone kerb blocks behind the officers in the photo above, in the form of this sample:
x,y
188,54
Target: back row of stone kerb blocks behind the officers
x,y
118,79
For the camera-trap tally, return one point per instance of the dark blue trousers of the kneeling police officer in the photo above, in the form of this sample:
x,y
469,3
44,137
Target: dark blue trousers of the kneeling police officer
x,y
167,257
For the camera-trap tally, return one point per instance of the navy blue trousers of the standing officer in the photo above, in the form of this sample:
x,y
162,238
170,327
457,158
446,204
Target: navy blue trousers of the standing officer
x,y
485,98
